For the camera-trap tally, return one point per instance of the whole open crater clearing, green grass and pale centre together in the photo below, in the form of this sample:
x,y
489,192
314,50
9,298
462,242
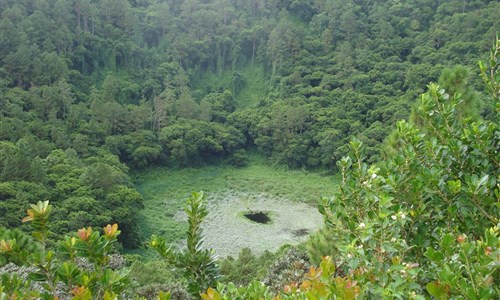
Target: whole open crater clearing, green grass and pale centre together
x,y
239,201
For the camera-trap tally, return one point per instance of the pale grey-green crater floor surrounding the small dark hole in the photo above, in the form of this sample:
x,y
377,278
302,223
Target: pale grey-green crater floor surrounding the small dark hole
x,y
227,231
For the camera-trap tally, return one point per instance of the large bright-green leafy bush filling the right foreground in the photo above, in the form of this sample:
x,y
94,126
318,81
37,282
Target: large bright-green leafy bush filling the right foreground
x,y
424,221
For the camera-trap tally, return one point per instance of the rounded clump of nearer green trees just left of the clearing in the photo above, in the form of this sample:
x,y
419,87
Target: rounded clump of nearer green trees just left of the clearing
x,y
88,192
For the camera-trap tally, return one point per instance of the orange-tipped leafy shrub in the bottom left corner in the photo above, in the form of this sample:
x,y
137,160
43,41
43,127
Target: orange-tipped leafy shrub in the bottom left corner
x,y
81,269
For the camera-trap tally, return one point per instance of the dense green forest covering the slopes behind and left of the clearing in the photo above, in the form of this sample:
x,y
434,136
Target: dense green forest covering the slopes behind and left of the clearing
x,y
87,86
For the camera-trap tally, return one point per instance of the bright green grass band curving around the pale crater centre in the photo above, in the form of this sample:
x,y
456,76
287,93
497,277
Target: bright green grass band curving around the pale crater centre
x,y
165,190
